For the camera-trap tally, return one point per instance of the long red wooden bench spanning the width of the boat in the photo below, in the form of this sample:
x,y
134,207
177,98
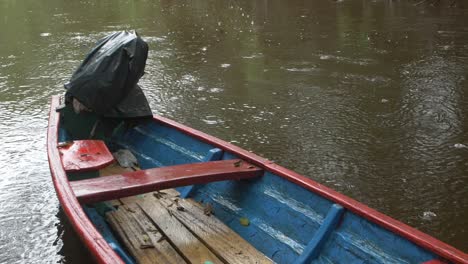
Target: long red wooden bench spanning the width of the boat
x,y
143,181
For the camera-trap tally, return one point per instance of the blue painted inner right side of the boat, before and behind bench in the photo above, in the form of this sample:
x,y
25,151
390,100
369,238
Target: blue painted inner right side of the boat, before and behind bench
x,y
286,222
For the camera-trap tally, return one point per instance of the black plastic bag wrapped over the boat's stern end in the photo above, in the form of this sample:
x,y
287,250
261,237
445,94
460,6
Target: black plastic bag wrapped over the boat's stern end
x,y
106,81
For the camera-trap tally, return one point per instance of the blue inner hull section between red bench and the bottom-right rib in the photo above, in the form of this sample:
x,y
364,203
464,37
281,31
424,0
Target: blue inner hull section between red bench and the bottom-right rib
x,y
280,224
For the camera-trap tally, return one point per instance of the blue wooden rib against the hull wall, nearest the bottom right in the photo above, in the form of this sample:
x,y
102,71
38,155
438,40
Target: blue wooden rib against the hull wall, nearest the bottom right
x,y
328,226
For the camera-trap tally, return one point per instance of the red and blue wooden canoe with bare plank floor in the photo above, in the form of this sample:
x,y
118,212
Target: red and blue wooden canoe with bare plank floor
x,y
282,216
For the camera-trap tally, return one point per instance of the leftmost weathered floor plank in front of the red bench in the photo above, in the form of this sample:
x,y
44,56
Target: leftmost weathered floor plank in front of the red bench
x,y
141,237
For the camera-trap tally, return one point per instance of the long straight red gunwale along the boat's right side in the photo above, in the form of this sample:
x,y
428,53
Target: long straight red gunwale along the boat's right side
x,y
419,238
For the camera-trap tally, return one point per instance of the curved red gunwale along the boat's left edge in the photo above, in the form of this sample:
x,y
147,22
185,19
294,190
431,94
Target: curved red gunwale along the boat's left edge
x,y
92,239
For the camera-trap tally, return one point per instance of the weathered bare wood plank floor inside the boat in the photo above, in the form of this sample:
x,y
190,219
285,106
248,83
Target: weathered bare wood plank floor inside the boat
x,y
162,227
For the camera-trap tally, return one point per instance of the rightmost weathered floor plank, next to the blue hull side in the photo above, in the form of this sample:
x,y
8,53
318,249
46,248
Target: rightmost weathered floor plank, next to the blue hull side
x,y
218,237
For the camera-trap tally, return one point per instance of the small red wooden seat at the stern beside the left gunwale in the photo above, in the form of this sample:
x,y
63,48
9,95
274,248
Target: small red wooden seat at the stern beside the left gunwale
x,y
85,155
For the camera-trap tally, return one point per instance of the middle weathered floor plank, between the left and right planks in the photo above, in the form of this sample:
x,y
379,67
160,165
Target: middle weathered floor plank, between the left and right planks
x,y
177,234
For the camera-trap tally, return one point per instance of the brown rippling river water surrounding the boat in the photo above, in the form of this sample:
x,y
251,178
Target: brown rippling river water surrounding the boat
x,y
367,97
